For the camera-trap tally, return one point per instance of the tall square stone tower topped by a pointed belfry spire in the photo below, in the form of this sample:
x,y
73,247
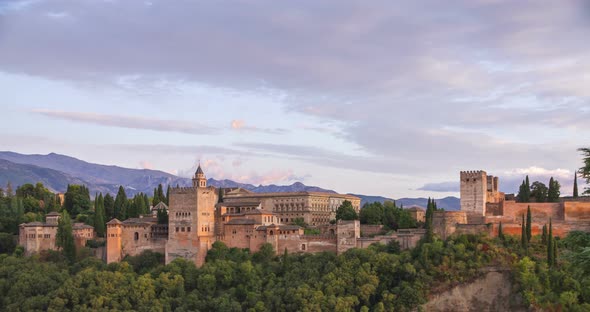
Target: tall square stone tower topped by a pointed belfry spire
x,y
191,220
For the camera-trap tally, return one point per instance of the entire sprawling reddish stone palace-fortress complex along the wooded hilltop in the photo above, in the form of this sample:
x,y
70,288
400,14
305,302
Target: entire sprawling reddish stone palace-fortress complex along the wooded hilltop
x,y
201,215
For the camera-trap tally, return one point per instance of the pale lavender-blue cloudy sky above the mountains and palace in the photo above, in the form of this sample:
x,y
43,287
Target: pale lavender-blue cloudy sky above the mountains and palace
x,y
388,98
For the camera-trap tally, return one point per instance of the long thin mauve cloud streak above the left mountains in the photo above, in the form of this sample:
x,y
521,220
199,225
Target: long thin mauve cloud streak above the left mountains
x,y
131,122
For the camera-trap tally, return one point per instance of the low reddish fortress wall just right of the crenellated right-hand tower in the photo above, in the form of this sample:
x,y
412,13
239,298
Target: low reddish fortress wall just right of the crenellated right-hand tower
x,y
541,212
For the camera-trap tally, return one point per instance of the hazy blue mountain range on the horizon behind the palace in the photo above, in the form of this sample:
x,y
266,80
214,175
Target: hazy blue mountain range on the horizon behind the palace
x,y
56,171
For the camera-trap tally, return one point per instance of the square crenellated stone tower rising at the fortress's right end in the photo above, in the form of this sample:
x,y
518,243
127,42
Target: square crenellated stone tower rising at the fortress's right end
x,y
474,191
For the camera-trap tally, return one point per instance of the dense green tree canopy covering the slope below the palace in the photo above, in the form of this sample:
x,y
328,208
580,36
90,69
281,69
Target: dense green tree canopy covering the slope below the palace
x,y
379,278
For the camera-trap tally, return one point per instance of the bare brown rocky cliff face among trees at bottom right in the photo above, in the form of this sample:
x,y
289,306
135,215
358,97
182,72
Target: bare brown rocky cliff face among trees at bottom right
x,y
492,292
